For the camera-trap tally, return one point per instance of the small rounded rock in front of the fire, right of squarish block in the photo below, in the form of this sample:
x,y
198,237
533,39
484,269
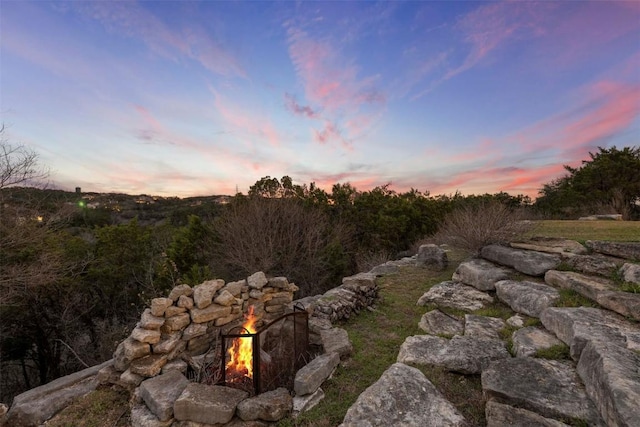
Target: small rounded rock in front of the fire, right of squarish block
x,y
270,406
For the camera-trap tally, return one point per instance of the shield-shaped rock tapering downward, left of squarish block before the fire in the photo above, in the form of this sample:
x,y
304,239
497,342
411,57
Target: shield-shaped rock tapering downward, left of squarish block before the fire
x,y
160,393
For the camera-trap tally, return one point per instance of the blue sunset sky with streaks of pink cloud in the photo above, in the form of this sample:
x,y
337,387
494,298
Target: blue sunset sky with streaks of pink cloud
x,y
188,98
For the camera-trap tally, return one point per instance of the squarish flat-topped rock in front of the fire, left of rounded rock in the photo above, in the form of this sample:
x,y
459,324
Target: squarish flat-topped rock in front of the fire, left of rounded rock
x,y
208,404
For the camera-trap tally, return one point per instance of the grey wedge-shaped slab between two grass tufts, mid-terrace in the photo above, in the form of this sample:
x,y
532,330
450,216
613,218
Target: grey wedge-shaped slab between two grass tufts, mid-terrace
x,y
526,297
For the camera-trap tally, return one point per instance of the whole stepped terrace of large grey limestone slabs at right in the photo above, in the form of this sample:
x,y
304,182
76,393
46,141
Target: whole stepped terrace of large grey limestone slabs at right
x,y
598,385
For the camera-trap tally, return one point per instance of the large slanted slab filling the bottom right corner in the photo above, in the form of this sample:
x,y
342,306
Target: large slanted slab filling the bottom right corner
x,y
611,375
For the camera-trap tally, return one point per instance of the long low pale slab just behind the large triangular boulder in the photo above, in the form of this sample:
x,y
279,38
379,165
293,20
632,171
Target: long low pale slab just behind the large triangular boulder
x,y
466,355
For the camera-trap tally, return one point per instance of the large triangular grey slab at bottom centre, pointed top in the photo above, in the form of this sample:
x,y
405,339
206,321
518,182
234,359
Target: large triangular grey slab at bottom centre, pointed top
x,y
402,396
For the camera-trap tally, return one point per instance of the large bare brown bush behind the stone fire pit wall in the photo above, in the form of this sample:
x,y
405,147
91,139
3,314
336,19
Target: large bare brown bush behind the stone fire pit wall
x,y
281,237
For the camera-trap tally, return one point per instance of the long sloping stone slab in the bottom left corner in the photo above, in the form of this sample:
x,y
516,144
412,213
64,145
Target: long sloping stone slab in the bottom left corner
x,y
35,406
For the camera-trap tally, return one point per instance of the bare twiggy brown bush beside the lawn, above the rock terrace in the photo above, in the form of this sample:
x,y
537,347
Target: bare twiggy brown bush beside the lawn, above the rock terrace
x,y
471,227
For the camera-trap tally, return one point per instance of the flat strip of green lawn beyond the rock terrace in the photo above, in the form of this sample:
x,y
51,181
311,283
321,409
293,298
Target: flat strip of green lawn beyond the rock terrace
x,y
619,231
